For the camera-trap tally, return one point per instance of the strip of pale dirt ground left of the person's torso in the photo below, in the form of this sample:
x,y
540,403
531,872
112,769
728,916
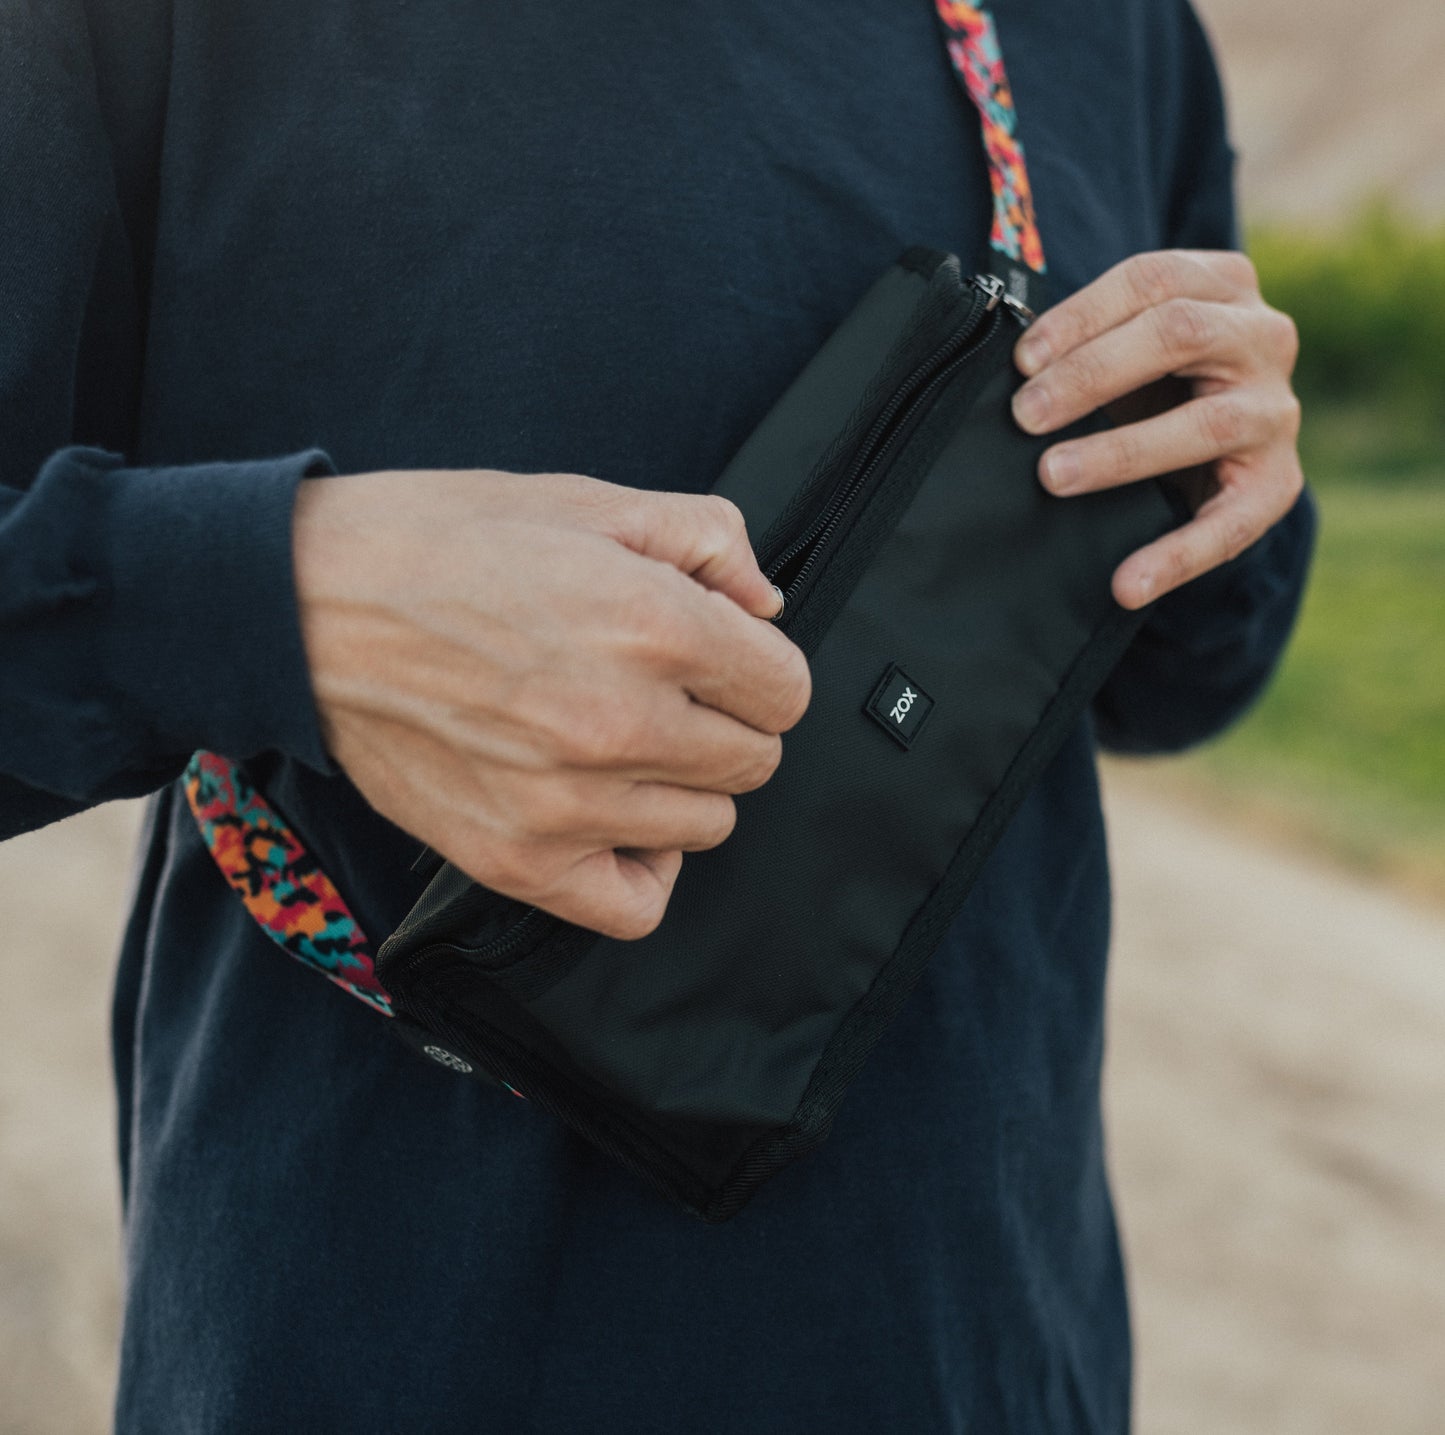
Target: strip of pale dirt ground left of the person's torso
x,y
61,898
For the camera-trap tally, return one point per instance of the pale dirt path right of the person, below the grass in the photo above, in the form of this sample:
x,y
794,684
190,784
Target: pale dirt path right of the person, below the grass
x,y
1278,1129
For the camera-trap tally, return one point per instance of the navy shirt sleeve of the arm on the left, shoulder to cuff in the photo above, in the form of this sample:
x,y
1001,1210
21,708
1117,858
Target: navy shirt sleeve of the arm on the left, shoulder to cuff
x,y
145,611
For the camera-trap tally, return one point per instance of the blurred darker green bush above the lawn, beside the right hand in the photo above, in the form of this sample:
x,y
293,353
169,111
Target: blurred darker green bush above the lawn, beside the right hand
x,y
1371,306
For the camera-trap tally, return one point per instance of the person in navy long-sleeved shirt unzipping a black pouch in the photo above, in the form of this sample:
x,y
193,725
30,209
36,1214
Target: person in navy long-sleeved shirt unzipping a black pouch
x,y
363,374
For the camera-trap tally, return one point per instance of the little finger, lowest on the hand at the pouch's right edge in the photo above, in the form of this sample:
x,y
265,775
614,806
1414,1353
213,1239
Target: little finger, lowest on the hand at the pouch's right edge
x,y
1243,511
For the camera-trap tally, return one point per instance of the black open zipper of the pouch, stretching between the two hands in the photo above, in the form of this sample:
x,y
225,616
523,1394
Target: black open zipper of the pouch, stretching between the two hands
x,y
801,557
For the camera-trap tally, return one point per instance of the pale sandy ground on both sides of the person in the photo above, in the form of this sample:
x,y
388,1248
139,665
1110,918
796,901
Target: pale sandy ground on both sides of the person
x,y
1277,1113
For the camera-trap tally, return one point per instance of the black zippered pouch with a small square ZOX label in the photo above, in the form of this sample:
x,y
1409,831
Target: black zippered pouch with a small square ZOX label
x,y
957,619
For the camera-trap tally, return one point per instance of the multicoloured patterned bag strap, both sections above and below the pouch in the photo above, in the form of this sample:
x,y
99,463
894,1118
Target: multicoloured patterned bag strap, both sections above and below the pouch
x,y
259,853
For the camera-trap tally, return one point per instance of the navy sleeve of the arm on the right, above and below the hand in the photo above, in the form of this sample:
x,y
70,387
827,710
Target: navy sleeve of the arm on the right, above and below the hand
x,y
1209,650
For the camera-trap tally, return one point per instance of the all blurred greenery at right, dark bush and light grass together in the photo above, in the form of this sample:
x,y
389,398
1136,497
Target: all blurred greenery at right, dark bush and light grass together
x,y
1347,748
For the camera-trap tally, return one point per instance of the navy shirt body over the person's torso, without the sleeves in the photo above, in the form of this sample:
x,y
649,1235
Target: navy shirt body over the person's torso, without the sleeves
x,y
423,233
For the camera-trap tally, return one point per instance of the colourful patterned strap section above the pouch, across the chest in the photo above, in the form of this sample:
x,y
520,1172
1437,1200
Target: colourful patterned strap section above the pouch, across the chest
x,y
973,47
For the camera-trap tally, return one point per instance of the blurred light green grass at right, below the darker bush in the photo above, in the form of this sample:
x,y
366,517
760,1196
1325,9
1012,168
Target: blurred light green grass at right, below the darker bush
x,y
1349,744
